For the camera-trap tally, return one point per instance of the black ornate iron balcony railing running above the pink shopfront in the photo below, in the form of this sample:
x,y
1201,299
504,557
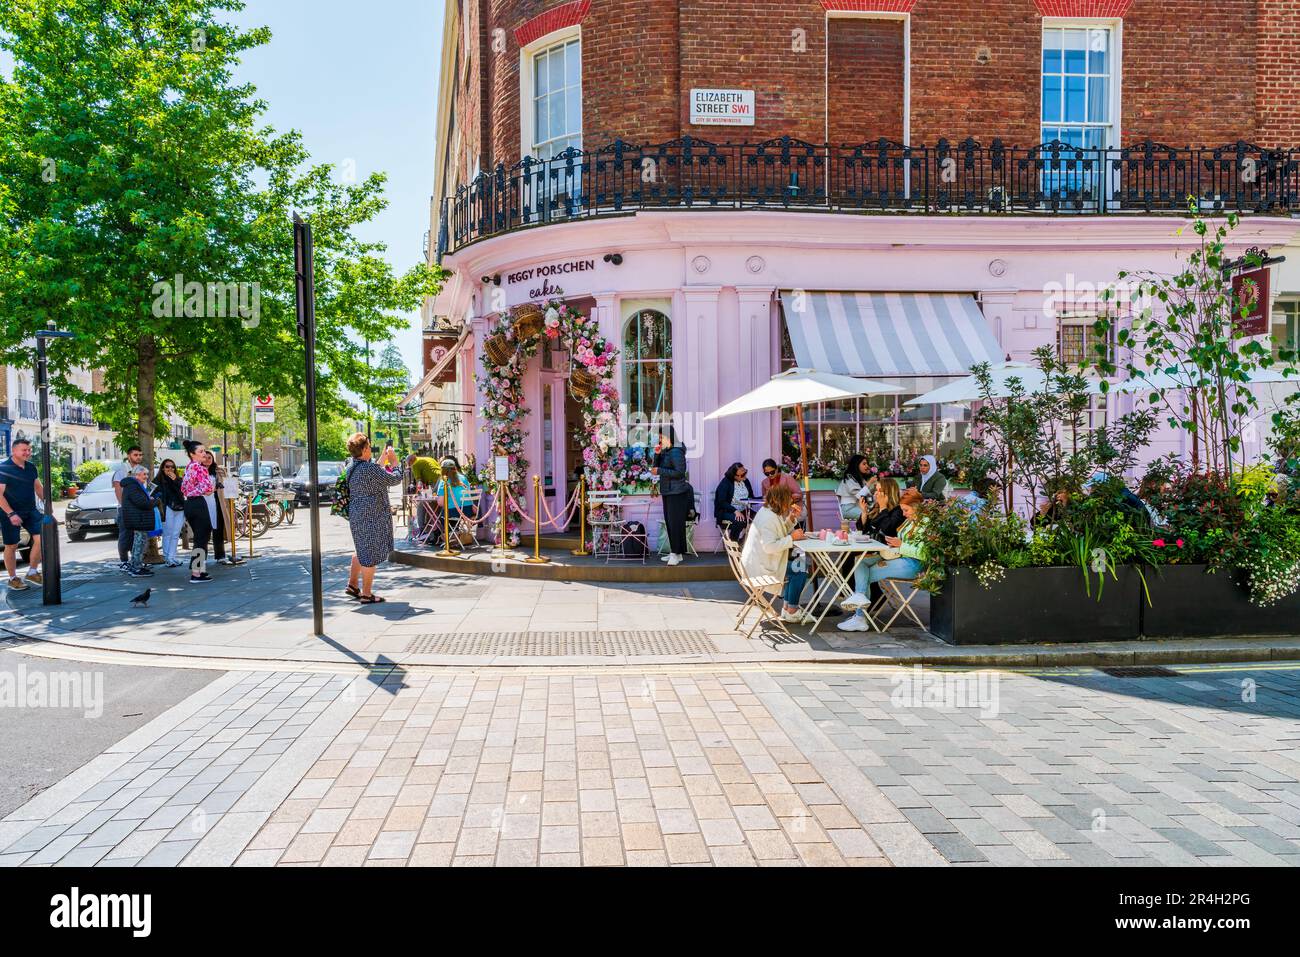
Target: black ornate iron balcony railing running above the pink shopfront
x,y
876,177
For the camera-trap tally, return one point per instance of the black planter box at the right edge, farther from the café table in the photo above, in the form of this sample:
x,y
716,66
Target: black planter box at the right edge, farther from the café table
x,y
1190,603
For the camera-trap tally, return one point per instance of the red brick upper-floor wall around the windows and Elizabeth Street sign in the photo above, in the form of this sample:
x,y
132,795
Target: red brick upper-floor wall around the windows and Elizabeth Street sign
x,y
1194,72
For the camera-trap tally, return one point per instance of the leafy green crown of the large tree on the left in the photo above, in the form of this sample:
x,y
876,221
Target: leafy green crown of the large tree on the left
x,y
132,168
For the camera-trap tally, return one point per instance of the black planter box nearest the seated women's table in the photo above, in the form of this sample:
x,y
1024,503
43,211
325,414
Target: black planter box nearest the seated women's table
x,y
1037,605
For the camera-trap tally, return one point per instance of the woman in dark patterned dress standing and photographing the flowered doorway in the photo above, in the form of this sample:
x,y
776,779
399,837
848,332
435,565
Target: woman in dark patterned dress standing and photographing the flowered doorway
x,y
370,513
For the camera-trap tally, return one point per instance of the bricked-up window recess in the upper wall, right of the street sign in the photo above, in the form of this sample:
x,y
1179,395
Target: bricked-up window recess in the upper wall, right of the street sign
x,y
865,80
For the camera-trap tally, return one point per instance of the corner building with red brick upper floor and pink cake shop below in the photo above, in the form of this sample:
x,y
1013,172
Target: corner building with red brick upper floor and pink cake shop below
x,y
716,250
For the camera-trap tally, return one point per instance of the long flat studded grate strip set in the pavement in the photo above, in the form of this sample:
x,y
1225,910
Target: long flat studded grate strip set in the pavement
x,y
558,644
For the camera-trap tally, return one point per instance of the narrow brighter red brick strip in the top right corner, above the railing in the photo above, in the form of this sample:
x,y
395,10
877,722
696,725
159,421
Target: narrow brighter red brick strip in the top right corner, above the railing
x,y
1277,77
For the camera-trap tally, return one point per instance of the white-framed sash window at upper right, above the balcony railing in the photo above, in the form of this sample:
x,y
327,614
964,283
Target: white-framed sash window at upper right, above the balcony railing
x,y
1078,83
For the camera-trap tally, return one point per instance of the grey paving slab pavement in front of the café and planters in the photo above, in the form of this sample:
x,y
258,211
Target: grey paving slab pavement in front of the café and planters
x,y
261,612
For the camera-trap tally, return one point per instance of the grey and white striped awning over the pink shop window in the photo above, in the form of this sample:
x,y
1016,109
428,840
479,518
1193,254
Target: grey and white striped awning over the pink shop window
x,y
889,334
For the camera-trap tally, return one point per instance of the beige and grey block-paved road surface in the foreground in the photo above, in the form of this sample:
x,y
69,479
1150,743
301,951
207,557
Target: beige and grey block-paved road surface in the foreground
x,y
804,765
